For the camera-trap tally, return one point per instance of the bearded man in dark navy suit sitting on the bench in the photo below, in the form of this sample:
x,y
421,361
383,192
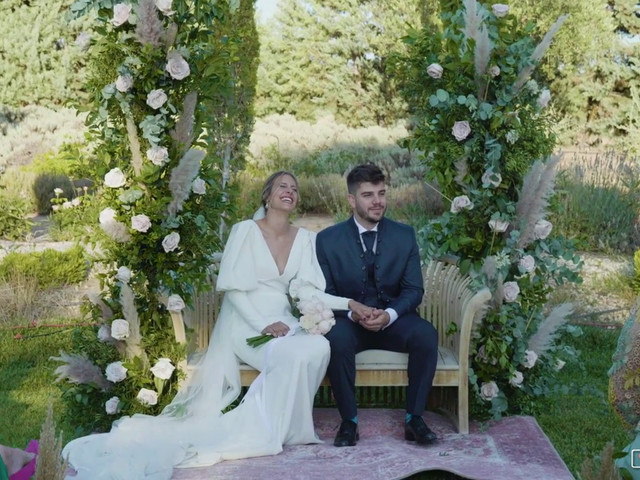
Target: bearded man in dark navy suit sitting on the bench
x,y
375,260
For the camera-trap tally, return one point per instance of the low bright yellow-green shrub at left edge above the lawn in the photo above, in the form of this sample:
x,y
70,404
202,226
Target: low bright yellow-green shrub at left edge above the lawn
x,y
49,267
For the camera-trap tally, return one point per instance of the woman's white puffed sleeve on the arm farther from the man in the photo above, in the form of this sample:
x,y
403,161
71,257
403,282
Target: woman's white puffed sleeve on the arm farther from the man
x,y
237,274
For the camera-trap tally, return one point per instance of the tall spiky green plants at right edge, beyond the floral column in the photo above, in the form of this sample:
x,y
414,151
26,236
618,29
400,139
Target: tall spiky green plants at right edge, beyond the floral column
x,y
598,197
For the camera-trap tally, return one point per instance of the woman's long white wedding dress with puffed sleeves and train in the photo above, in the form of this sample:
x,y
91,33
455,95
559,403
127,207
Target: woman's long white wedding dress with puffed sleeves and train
x,y
277,409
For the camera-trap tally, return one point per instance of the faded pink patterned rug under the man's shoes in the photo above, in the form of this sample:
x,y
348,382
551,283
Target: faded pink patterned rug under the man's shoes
x,y
509,449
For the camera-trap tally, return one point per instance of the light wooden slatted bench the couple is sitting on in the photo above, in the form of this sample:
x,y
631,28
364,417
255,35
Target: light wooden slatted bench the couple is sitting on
x,y
449,303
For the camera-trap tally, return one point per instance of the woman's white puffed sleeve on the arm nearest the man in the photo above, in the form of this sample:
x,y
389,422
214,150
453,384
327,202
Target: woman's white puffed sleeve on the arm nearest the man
x,y
310,282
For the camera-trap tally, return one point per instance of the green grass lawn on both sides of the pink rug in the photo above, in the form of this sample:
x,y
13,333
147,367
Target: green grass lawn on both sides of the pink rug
x,y
578,424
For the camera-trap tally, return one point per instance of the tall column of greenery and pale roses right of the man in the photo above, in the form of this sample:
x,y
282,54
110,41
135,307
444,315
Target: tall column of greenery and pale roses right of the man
x,y
485,131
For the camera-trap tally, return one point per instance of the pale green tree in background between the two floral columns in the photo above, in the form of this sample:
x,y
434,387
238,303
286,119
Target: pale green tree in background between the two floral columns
x,y
322,57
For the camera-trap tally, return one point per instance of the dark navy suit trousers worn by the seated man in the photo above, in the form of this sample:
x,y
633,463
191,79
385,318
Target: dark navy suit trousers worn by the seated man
x,y
408,334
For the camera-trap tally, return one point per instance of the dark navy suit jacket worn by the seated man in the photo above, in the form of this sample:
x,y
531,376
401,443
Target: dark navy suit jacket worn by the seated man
x,y
398,274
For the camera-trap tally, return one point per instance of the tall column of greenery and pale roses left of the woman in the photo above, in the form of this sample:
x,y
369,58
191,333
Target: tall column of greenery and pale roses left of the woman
x,y
169,122
